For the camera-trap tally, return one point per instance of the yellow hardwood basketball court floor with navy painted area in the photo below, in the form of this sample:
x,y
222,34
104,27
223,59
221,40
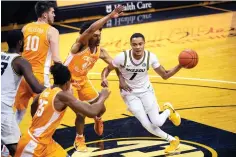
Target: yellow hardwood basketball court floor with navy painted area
x,y
205,96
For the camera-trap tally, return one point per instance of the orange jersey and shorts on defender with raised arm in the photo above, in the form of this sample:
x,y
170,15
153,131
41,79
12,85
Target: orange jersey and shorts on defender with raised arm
x,y
79,65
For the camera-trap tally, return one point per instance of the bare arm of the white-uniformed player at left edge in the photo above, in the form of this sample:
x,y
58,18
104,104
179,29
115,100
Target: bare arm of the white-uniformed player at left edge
x,y
23,67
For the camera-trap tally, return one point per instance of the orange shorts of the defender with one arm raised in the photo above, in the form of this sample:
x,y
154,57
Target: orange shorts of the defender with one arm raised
x,y
86,92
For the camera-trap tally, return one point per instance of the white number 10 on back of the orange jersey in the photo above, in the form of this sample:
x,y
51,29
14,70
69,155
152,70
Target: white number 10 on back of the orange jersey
x,y
32,43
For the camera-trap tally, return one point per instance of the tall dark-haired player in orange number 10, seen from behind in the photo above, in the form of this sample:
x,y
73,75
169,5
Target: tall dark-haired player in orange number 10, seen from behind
x,y
40,48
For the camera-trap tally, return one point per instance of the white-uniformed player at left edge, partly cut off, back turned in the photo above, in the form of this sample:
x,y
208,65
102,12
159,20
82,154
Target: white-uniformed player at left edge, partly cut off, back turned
x,y
13,67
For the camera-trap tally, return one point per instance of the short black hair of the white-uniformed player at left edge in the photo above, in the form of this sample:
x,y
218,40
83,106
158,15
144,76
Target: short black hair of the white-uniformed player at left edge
x,y
14,37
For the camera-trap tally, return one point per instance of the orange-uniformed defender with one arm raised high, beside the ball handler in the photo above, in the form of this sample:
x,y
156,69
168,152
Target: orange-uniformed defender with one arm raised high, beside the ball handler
x,y
84,54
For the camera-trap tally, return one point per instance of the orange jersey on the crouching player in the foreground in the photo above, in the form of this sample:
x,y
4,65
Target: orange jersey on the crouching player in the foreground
x,y
46,118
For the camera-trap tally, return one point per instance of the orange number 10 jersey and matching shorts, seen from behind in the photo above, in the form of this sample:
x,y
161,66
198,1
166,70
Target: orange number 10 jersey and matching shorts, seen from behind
x,y
37,52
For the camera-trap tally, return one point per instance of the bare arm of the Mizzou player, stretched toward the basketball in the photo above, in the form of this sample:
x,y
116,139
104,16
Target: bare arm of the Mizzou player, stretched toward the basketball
x,y
165,74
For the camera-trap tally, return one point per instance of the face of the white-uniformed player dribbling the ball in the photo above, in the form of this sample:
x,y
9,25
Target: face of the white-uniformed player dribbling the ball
x,y
137,45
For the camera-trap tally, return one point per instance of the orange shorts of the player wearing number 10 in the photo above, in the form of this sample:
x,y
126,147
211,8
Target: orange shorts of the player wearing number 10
x,y
24,92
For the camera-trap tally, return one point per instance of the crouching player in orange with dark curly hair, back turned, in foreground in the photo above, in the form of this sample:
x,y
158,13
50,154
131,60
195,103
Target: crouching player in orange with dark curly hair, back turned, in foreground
x,y
48,109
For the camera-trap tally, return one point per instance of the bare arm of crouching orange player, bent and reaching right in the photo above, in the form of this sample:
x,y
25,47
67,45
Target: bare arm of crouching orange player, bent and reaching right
x,y
80,107
